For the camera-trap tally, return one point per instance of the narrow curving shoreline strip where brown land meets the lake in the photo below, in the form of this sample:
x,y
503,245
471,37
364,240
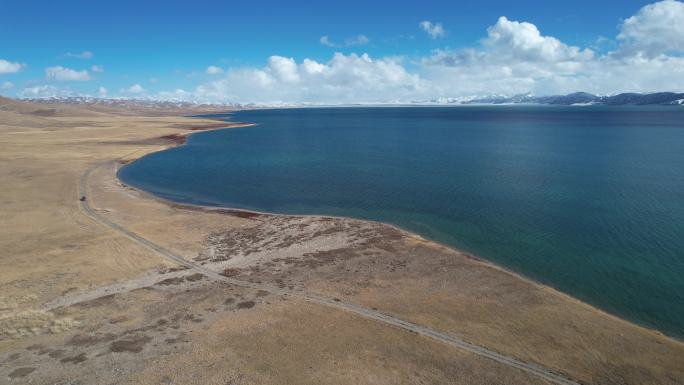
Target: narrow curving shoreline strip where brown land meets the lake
x,y
246,213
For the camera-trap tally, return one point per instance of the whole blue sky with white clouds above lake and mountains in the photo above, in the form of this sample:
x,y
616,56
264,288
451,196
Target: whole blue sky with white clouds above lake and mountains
x,y
338,52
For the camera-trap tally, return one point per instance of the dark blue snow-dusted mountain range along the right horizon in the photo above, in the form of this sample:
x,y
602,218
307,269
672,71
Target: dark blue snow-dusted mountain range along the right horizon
x,y
577,98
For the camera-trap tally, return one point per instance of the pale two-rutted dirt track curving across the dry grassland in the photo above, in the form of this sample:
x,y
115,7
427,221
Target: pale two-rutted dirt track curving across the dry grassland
x,y
459,343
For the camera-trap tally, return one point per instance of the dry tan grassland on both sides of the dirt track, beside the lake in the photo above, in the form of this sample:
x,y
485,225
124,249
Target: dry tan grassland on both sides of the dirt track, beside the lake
x,y
82,302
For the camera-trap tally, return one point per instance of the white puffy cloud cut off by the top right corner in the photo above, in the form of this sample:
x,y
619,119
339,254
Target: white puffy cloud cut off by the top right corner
x,y
656,29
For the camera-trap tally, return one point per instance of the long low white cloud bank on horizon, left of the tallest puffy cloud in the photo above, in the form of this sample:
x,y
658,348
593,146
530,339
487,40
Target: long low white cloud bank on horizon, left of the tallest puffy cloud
x,y
344,78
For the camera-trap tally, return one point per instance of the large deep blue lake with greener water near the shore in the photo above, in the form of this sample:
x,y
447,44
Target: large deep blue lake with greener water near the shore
x,y
589,200
